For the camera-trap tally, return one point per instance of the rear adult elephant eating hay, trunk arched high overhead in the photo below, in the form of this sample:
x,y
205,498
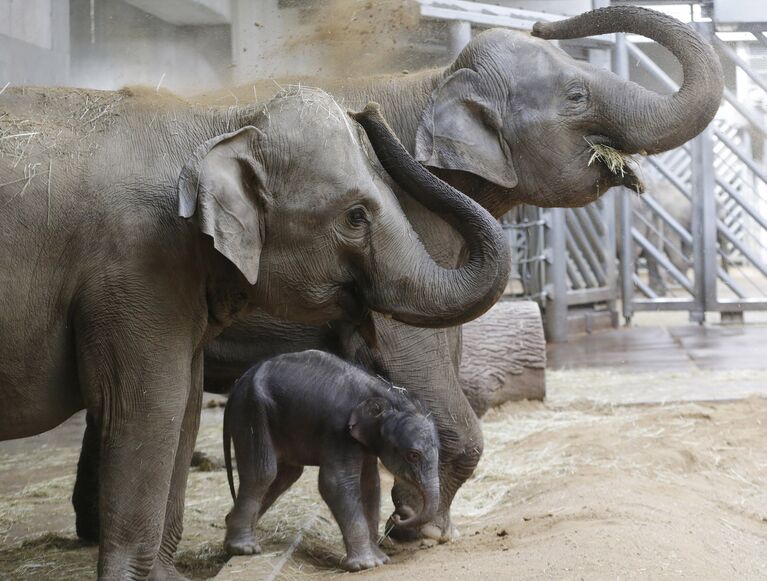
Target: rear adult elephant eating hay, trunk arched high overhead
x,y
511,121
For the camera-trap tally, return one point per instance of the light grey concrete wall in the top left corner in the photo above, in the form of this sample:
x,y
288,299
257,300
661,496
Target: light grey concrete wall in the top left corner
x,y
34,42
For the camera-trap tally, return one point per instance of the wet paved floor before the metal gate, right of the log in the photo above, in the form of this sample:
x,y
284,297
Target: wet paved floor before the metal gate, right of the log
x,y
661,363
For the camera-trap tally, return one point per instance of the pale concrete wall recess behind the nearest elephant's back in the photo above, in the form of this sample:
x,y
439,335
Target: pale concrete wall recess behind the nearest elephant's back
x,y
133,47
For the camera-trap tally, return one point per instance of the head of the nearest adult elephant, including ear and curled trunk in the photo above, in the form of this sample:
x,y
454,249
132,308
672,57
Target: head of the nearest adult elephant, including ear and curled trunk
x,y
298,203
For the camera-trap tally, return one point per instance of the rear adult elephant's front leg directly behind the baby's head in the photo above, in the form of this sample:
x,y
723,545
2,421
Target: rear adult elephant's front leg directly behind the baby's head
x,y
423,361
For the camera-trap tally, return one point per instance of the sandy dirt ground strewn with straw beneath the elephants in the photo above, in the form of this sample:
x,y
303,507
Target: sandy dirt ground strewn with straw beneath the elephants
x,y
569,489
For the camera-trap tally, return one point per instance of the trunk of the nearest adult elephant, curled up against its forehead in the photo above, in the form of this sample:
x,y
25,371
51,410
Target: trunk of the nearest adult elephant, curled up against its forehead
x,y
430,295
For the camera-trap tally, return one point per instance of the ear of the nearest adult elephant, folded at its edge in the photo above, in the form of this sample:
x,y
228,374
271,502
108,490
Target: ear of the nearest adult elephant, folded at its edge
x,y
224,185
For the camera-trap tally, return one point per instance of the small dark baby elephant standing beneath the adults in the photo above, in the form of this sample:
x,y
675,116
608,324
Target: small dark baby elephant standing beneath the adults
x,y
314,409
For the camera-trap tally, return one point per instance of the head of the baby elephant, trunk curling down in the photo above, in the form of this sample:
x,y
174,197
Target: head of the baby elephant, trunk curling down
x,y
408,446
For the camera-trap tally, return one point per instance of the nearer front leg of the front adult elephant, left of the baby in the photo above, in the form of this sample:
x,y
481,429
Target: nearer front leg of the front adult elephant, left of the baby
x,y
141,429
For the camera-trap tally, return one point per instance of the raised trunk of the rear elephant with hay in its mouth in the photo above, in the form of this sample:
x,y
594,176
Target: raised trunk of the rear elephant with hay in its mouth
x,y
637,119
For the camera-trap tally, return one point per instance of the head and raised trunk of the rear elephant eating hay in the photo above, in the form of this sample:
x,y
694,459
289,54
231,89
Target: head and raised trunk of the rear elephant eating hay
x,y
522,116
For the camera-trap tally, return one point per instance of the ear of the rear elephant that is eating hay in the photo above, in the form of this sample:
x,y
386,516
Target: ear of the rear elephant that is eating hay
x,y
461,130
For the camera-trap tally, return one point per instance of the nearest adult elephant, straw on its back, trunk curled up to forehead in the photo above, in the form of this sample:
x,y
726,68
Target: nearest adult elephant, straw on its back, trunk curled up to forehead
x,y
109,292
